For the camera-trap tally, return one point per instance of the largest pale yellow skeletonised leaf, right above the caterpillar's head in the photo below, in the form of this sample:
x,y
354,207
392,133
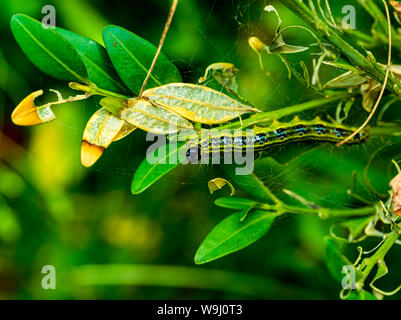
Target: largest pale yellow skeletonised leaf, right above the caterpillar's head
x,y
197,103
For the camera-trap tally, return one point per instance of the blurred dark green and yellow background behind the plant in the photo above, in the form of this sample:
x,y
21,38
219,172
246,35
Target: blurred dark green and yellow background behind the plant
x,y
108,244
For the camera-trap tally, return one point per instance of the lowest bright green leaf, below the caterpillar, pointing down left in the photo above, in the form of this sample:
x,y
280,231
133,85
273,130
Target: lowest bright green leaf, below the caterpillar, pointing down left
x,y
231,235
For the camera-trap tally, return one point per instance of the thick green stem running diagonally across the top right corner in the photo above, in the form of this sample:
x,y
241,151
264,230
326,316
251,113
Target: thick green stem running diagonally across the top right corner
x,y
367,64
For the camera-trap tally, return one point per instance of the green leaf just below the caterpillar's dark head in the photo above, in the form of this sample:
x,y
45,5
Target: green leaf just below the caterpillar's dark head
x,y
148,173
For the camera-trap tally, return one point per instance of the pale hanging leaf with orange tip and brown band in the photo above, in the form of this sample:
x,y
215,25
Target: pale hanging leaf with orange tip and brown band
x,y
102,129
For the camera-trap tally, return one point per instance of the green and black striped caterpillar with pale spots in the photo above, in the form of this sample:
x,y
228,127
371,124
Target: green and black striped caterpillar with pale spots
x,y
277,134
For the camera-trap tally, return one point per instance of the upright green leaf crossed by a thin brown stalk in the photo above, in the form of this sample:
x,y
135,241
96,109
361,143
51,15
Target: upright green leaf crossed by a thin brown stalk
x,y
132,56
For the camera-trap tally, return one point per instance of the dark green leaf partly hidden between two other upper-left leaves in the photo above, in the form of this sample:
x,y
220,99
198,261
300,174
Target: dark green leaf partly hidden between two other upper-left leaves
x,y
96,60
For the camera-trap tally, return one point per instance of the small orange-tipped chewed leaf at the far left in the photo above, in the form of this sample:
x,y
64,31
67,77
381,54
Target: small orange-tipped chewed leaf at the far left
x,y
27,114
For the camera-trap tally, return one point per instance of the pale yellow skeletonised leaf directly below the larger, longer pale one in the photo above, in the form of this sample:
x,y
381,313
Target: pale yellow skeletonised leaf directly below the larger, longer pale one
x,y
151,118
